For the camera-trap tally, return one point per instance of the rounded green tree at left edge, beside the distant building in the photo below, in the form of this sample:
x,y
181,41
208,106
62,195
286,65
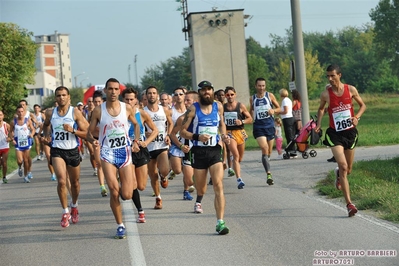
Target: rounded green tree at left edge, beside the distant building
x,y
17,65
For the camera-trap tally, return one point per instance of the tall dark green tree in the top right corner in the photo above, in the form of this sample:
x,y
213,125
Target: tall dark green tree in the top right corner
x,y
386,20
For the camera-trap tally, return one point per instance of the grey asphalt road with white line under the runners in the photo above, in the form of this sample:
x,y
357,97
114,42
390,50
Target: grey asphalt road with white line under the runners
x,y
284,224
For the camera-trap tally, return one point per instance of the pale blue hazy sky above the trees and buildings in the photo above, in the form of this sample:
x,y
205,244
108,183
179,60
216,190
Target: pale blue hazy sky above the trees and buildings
x,y
106,35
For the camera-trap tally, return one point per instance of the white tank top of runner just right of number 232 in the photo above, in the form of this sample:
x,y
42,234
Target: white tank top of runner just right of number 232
x,y
159,119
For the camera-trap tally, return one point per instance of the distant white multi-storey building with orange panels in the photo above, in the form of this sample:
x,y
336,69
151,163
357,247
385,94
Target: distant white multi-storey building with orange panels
x,y
53,67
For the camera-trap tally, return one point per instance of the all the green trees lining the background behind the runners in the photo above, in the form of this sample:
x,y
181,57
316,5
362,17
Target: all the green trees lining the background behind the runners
x,y
368,56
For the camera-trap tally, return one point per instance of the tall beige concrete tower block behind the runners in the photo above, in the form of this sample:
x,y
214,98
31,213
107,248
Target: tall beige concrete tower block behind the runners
x,y
218,52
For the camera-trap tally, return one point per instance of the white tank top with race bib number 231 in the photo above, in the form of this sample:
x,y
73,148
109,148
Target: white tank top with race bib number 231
x,y
60,138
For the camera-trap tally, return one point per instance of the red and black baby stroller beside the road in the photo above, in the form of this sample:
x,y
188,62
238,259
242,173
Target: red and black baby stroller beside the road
x,y
302,140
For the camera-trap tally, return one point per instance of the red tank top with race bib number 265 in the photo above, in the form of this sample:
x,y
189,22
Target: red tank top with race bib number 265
x,y
340,109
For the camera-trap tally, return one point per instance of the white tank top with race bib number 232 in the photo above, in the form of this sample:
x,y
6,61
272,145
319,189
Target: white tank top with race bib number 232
x,y
114,130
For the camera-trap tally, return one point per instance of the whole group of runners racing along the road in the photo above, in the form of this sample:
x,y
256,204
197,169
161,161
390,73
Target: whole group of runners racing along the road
x,y
131,140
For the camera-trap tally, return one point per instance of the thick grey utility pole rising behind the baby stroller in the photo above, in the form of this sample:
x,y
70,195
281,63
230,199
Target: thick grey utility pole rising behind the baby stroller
x,y
299,54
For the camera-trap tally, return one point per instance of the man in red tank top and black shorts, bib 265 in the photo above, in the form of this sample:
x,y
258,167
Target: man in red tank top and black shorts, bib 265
x,y
342,134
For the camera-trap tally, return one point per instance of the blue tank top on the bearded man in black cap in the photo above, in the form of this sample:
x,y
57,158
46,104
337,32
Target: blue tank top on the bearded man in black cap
x,y
206,124
